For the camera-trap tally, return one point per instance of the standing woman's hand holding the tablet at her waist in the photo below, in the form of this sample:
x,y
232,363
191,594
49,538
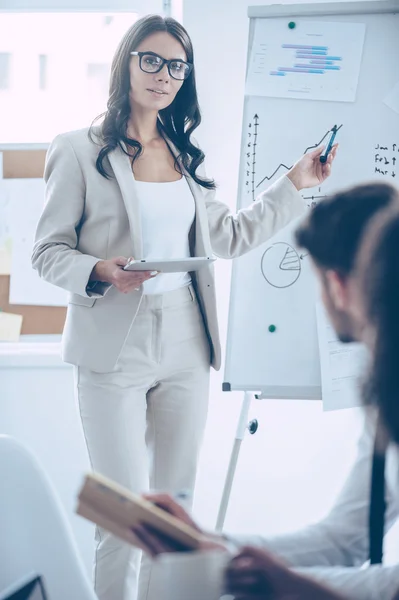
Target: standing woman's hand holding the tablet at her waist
x,y
111,271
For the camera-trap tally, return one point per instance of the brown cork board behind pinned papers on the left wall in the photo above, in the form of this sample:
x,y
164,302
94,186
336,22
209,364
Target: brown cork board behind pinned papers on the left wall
x,y
20,164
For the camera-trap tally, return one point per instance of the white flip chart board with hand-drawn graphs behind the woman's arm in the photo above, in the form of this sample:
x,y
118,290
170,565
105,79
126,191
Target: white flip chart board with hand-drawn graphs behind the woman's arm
x,y
274,284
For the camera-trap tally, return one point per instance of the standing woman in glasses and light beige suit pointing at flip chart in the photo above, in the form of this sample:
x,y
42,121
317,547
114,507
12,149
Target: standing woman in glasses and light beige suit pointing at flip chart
x,y
142,346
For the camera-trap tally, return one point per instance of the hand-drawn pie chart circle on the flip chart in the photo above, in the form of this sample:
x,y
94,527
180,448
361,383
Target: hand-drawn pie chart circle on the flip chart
x,y
281,265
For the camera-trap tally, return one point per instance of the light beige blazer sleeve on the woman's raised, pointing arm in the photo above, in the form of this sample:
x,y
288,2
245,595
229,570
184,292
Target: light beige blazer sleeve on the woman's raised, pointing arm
x,y
233,235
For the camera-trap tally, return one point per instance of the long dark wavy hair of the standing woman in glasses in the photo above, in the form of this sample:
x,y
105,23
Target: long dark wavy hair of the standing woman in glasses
x,y
176,122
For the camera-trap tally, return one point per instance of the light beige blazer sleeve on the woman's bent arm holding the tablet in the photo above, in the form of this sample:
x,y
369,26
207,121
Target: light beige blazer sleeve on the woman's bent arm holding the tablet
x,y
55,255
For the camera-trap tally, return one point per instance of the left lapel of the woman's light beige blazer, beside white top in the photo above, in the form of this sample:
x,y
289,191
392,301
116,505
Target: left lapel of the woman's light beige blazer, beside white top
x,y
120,164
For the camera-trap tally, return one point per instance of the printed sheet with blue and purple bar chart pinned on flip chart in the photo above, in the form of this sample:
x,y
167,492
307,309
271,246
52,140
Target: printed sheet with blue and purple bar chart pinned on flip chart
x,y
317,60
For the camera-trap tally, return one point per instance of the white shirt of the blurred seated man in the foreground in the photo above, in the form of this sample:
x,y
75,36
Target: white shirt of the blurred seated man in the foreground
x,y
335,549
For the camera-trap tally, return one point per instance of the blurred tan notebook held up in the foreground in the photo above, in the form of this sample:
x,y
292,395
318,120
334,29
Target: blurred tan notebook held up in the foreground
x,y
118,510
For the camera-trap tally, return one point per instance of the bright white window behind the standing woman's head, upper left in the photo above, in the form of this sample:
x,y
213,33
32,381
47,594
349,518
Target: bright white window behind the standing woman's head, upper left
x,y
54,71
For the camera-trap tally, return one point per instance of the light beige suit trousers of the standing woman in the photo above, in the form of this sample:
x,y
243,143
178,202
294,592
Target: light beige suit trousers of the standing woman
x,y
144,422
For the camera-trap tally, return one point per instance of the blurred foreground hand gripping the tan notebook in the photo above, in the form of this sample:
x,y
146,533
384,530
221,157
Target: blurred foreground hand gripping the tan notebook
x,y
155,543
